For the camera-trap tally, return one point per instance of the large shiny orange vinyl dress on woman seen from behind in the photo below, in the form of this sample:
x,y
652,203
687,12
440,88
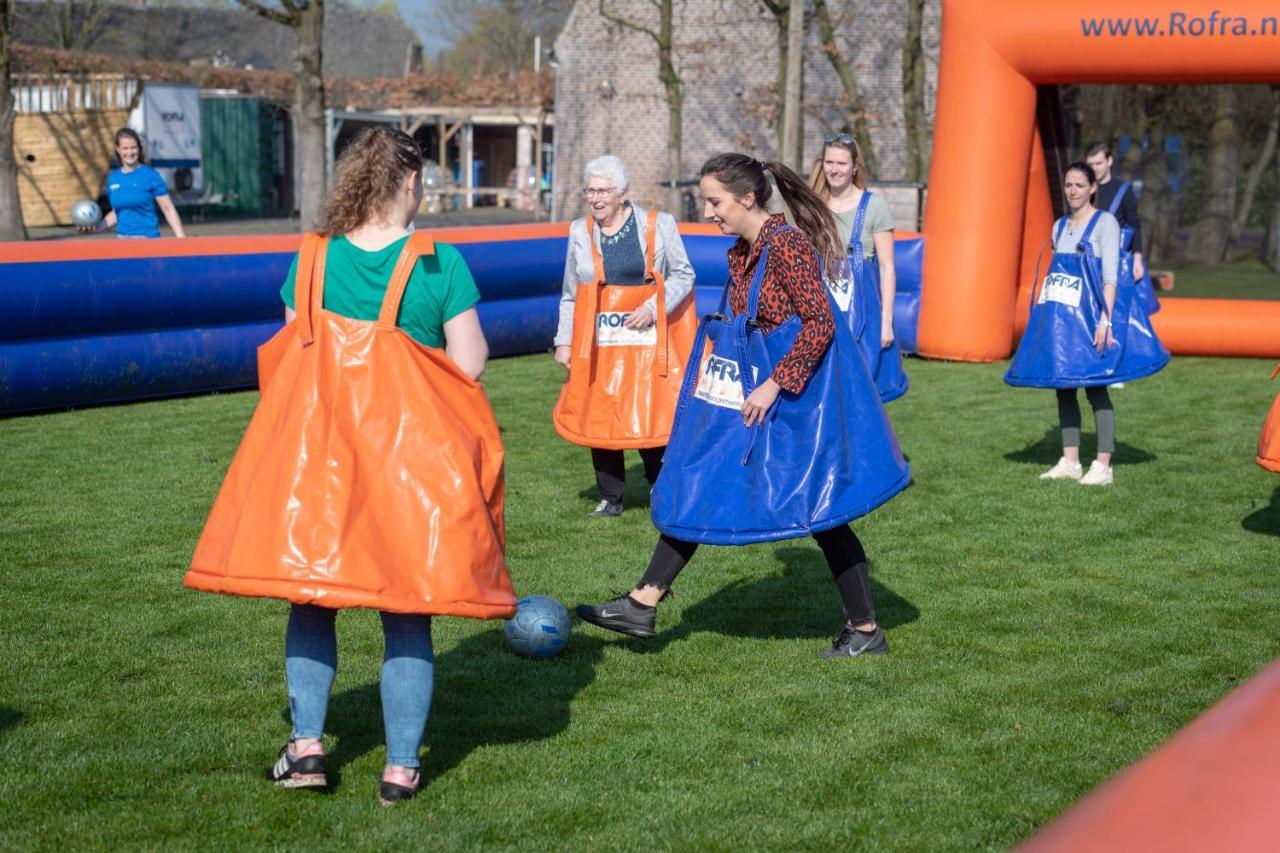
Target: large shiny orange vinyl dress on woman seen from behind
x,y
371,475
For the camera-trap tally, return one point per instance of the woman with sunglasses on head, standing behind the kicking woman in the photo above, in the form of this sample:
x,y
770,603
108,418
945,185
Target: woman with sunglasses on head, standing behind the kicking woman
x,y
866,288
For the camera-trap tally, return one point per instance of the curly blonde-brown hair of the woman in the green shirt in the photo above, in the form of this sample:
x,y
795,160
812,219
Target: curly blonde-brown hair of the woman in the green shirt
x,y
367,179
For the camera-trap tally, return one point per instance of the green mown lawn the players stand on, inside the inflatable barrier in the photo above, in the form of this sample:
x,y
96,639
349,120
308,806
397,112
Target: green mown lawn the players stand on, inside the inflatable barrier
x,y
1044,637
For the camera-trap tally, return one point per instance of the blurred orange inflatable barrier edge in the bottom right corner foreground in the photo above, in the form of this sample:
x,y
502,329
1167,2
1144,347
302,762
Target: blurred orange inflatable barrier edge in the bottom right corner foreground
x,y
1212,788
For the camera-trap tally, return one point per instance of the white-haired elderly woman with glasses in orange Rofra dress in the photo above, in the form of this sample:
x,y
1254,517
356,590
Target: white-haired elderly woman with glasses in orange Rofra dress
x,y
627,329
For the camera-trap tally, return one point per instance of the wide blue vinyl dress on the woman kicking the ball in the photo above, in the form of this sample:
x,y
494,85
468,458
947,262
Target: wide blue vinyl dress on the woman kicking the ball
x,y
820,459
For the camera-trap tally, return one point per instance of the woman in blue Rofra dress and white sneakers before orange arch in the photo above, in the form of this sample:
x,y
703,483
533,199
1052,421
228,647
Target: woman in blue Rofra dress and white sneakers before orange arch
x,y
1087,330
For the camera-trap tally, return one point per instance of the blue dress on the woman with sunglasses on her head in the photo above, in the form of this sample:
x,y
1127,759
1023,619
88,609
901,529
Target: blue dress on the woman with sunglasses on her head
x,y
857,295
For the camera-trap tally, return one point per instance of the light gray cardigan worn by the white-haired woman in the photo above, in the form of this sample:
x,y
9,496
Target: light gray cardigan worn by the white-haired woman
x,y
670,261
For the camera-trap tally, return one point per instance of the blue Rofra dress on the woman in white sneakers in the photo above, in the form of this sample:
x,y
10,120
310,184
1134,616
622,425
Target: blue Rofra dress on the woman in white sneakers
x,y
1058,352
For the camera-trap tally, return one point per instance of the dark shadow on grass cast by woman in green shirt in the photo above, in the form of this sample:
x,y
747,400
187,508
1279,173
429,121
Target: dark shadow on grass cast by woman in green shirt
x,y
484,696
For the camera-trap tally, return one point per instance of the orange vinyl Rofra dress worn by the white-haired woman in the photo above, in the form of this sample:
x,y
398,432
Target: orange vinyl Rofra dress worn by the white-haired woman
x,y
623,384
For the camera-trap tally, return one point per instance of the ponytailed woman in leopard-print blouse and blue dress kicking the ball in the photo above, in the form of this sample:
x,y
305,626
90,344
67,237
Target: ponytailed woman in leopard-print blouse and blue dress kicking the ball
x,y
779,432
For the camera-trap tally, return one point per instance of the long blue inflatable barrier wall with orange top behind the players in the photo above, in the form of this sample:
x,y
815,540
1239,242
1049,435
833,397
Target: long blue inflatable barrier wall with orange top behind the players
x,y
95,322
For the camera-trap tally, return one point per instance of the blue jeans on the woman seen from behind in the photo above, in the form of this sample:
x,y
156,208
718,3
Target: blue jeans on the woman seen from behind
x,y
408,679
